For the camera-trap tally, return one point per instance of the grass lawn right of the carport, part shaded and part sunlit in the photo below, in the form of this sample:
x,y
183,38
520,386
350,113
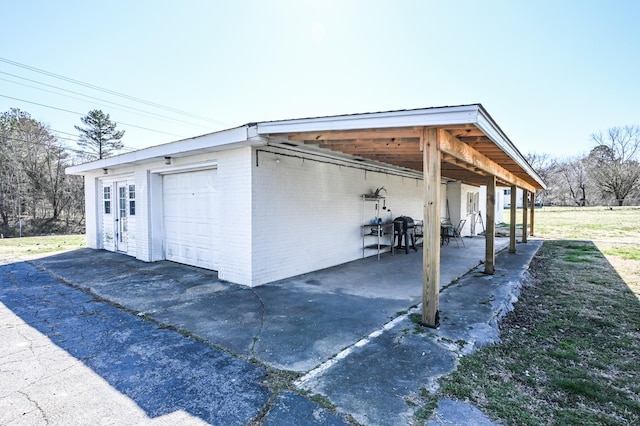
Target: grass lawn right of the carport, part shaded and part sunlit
x,y
570,351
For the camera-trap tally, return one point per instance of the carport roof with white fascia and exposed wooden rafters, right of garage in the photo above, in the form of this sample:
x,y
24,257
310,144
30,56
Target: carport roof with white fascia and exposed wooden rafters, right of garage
x,y
472,144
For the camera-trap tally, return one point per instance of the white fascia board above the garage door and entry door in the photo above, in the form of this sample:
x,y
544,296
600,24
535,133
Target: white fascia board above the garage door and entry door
x,y
225,139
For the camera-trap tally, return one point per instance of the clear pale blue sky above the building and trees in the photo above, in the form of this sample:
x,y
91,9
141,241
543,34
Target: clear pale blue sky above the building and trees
x,y
549,72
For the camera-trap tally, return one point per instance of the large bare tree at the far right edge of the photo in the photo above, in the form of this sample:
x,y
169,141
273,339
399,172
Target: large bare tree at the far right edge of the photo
x,y
613,162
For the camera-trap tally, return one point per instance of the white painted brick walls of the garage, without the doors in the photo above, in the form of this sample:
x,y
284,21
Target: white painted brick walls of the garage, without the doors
x,y
279,215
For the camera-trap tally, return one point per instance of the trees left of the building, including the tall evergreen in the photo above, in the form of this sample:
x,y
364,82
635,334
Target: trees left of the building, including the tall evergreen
x,y
36,196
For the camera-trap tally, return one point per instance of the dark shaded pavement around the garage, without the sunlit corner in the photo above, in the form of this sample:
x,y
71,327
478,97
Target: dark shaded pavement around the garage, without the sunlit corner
x,y
175,338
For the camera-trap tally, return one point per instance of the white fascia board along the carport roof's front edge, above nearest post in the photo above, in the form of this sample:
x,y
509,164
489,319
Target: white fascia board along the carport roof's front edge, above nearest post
x,y
440,116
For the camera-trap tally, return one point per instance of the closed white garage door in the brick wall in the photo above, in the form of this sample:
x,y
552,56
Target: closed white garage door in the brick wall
x,y
191,218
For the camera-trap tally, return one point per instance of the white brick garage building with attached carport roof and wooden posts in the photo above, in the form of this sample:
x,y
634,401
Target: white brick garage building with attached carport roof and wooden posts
x,y
287,195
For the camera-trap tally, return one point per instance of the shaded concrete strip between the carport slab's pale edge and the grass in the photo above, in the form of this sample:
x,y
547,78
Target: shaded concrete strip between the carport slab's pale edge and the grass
x,y
375,379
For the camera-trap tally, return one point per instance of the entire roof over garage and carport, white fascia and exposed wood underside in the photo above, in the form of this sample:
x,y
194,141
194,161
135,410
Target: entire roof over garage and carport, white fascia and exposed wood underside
x,y
472,145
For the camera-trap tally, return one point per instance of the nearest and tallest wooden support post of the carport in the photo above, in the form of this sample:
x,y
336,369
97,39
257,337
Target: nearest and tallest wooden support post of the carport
x,y
431,242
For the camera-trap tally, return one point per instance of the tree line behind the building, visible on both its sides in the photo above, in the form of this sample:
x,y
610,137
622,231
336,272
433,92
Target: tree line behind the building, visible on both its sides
x,y
35,192
